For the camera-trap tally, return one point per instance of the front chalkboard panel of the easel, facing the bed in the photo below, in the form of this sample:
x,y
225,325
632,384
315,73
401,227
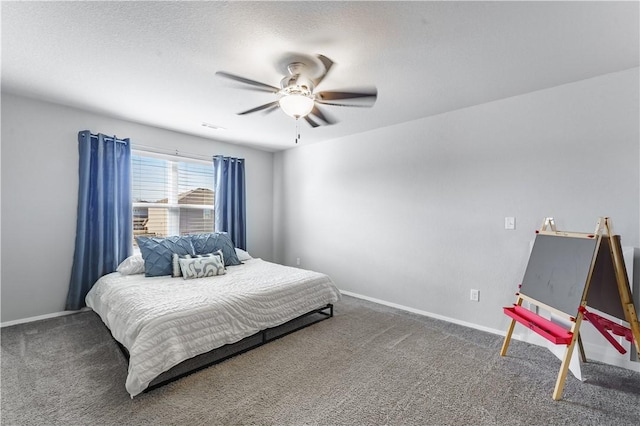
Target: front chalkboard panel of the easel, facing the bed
x,y
557,271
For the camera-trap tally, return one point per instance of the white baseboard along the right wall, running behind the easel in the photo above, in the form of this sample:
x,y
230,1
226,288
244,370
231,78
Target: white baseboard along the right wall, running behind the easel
x,y
594,352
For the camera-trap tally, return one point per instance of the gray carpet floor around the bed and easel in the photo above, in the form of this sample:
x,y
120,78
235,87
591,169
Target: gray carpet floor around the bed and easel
x,y
369,365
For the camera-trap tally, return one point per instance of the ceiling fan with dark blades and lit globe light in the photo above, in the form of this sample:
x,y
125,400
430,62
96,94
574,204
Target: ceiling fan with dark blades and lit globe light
x,y
296,95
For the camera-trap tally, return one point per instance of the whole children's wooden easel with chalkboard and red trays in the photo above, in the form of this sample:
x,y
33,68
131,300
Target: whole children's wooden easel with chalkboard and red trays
x,y
597,258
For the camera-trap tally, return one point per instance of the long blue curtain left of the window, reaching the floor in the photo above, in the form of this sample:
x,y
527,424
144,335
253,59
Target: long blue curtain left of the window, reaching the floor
x,y
104,225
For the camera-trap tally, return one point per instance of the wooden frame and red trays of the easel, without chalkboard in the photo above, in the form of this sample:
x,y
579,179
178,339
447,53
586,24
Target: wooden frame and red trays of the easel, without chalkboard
x,y
603,226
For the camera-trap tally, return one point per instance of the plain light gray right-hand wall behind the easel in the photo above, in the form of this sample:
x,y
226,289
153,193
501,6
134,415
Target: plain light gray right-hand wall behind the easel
x,y
413,214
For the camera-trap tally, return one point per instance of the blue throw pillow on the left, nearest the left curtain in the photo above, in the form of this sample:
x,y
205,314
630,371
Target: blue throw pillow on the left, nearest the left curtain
x,y
158,253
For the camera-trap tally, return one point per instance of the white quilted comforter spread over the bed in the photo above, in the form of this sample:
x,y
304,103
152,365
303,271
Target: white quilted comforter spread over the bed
x,y
163,321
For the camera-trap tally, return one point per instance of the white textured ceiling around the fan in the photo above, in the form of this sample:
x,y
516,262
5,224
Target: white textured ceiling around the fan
x,y
155,62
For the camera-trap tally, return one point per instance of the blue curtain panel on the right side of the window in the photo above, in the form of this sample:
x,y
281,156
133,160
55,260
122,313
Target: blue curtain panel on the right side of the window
x,y
230,211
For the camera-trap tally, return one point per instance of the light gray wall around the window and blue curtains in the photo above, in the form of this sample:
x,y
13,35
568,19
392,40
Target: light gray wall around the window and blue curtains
x,y
40,187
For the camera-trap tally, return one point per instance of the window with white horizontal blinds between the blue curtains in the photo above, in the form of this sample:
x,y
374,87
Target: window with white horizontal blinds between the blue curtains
x,y
171,197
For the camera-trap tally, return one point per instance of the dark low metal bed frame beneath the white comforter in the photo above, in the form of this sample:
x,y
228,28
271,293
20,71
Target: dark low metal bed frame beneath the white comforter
x,y
230,350
